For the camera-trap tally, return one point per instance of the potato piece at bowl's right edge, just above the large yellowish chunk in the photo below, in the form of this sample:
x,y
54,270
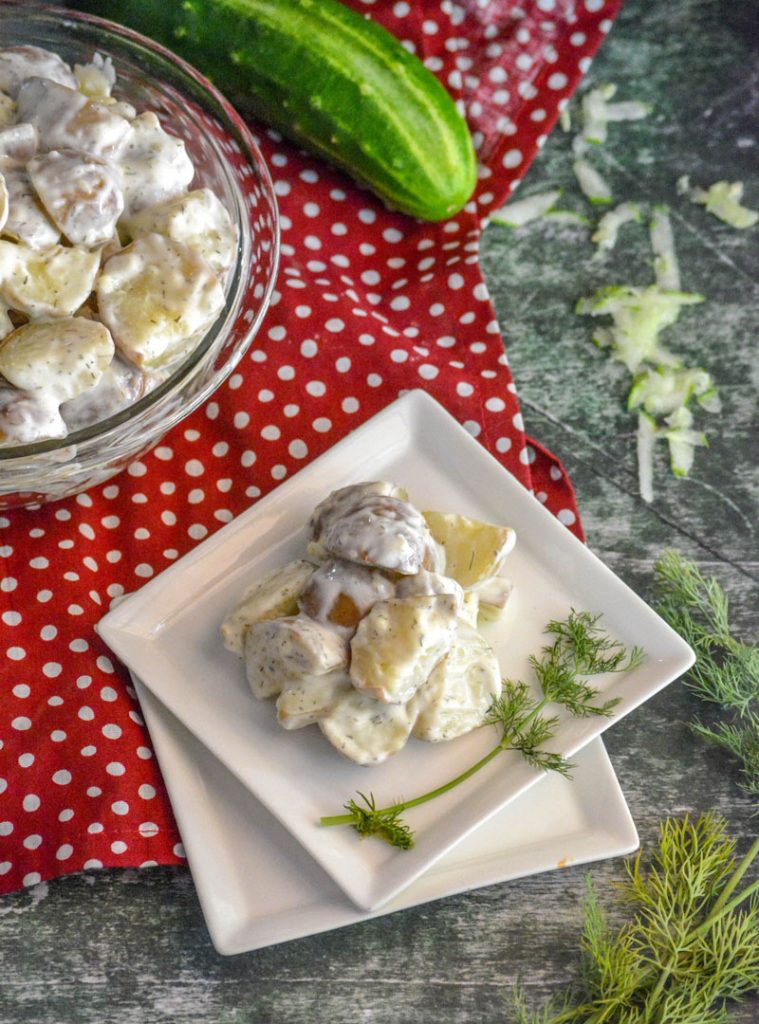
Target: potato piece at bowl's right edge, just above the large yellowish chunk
x,y
199,220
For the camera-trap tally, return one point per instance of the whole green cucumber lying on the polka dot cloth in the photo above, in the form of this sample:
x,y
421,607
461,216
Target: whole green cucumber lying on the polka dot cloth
x,y
336,82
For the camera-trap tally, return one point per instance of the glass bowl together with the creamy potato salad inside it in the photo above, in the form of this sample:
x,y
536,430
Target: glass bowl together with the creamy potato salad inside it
x,y
139,248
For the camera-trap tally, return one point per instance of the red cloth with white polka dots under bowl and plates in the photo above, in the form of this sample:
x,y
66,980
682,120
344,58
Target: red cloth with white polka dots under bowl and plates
x,y
369,304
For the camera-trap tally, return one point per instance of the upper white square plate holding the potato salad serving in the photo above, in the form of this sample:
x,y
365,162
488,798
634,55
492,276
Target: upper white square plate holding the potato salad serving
x,y
168,634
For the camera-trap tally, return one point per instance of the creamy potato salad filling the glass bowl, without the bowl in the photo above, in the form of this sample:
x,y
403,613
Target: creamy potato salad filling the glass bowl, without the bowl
x,y
112,267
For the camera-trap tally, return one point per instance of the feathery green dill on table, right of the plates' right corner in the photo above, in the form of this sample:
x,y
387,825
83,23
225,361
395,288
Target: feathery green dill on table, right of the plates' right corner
x,y
727,671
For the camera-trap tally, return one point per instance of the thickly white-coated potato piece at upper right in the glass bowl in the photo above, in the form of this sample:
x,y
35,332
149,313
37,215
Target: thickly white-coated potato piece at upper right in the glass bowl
x,y
154,165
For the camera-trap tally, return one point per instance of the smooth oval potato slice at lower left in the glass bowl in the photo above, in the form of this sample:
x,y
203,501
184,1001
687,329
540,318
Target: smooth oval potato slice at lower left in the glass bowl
x,y
62,358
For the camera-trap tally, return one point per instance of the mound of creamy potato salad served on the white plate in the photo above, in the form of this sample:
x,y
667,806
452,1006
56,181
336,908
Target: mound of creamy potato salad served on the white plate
x,y
373,636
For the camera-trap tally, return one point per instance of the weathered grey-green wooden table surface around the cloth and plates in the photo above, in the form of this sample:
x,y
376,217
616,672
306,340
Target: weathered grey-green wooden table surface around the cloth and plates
x,y
132,947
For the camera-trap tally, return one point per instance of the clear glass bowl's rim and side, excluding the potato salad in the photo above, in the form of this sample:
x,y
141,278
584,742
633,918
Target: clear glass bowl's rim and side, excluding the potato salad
x,y
228,161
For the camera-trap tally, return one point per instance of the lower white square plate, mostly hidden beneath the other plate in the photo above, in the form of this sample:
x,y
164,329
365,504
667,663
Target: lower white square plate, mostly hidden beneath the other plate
x,y
560,824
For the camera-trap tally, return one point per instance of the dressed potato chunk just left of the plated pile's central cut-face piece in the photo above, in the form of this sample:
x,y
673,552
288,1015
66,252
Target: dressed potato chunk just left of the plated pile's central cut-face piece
x,y
282,651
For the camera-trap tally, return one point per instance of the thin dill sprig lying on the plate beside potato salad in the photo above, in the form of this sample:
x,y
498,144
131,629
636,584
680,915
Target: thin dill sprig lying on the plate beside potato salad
x,y
581,649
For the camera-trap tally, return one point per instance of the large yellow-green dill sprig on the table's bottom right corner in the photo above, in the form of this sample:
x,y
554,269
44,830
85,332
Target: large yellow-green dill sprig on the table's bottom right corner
x,y
692,944
